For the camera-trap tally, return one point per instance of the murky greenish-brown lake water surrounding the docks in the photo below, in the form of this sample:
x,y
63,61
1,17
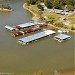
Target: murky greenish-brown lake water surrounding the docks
x,y
46,54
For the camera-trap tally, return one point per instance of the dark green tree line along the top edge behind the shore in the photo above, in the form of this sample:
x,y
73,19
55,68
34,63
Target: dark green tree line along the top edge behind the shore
x,y
56,4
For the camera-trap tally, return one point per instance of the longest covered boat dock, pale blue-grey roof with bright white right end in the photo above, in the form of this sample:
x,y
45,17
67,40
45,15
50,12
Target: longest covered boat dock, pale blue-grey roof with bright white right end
x,y
37,36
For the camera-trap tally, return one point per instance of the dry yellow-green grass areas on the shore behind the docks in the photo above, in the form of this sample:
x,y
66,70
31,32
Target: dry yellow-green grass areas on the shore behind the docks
x,y
51,16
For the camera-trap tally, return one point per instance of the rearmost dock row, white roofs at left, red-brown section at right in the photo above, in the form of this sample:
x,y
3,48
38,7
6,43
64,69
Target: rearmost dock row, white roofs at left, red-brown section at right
x,y
25,25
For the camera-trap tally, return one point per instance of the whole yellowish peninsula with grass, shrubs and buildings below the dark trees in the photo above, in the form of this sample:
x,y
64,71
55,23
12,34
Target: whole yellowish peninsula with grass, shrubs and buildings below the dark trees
x,y
56,17
